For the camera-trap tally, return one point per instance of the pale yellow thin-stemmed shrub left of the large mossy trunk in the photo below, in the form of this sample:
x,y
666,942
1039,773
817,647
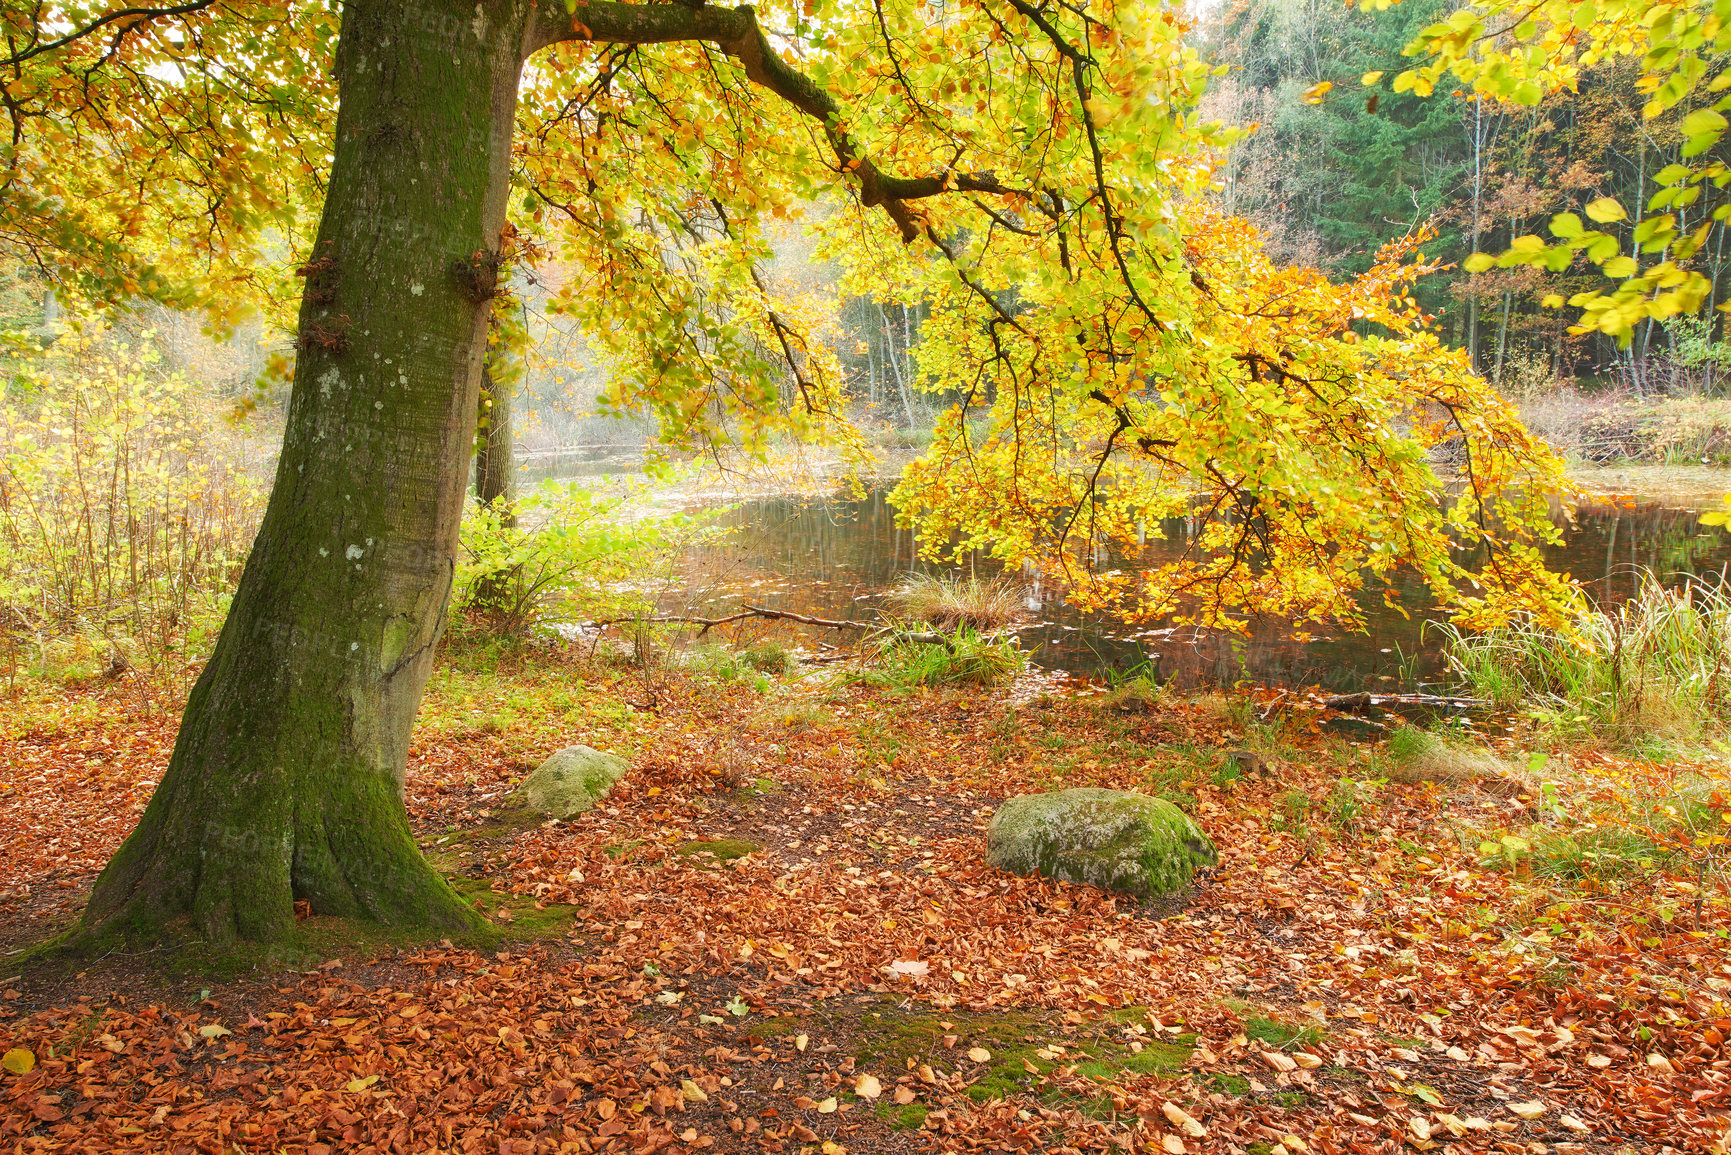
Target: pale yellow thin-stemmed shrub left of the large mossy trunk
x,y
125,503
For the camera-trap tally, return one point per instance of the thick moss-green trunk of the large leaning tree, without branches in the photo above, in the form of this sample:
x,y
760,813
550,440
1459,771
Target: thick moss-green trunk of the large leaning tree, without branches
x,y
288,777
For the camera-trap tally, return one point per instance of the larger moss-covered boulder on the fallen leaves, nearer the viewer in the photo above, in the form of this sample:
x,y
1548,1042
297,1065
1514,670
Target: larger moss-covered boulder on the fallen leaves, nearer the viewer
x,y
1109,839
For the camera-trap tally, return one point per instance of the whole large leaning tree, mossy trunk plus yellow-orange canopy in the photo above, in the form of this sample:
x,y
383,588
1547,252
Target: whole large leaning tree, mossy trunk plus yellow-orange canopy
x,y
1034,171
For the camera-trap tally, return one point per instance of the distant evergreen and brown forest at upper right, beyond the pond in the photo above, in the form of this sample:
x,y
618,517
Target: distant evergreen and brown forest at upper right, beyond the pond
x,y
1332,177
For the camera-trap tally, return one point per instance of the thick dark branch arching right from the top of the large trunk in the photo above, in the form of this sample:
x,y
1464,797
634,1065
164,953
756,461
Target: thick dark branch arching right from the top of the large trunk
x,y
738,34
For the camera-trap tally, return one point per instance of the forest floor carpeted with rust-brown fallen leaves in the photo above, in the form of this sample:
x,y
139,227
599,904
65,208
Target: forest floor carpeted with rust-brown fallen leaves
x,y
780,934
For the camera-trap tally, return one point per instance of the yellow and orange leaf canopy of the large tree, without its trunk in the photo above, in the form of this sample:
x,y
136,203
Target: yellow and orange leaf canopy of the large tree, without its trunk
x,y
1038,174
